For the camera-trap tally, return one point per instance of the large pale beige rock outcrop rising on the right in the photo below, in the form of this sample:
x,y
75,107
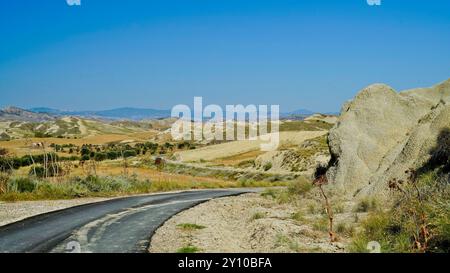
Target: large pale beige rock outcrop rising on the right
x,y
382,133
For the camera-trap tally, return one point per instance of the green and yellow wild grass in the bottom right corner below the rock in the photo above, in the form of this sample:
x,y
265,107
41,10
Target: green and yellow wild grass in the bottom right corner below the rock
x,y
419,221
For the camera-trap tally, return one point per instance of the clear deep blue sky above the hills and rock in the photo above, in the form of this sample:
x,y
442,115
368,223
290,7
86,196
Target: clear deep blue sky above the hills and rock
x,y
313,54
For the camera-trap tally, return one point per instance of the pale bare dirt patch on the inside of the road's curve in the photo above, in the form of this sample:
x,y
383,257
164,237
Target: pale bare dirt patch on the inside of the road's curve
x,y
246,224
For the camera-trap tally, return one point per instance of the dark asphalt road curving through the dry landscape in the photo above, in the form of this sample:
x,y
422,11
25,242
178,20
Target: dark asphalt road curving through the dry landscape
x,y
122,225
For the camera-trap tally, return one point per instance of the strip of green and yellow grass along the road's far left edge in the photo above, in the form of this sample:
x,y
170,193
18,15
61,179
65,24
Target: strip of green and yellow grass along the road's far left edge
x,y
32,188
